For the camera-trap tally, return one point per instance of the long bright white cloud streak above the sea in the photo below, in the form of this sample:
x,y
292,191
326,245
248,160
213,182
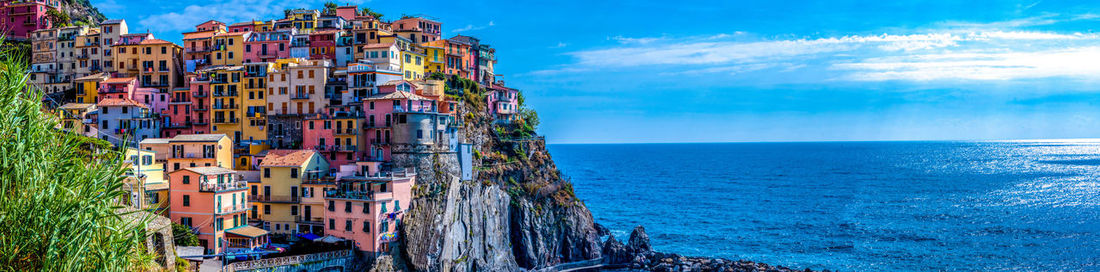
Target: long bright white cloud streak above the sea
x,y
937,56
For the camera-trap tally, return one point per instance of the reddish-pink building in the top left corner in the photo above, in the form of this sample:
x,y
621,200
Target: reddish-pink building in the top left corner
x,y
24,17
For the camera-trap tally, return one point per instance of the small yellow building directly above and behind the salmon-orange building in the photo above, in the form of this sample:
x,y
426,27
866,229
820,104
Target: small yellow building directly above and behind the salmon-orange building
x,y
200,150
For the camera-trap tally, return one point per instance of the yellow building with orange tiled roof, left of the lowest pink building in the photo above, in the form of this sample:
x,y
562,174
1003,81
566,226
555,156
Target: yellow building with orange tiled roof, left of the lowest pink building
x,y
278,198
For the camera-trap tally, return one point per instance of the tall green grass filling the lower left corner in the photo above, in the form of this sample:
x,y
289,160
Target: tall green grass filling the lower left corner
x,y
59,201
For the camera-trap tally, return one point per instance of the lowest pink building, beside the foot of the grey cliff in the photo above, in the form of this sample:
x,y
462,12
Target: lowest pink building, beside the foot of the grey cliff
x,y
368,208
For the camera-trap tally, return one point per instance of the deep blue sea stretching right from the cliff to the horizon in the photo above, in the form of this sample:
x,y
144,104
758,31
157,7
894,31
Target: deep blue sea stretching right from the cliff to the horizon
x,y
853,206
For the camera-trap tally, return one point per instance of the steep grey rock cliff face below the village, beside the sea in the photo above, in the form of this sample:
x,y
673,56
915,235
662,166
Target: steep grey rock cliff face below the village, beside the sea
x,y
518,213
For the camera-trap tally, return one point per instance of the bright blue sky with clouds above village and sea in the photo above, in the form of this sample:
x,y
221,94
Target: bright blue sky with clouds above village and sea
x,y
643,72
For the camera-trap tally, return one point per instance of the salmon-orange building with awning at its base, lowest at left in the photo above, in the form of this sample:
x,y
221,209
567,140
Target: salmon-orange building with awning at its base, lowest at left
x,y
214,202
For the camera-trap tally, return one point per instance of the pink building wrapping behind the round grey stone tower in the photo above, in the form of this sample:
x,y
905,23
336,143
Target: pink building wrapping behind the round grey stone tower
x,y
393,97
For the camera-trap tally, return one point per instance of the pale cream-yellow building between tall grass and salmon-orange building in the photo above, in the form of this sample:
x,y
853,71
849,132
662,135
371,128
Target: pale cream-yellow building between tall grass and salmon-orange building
x,y
146,180
